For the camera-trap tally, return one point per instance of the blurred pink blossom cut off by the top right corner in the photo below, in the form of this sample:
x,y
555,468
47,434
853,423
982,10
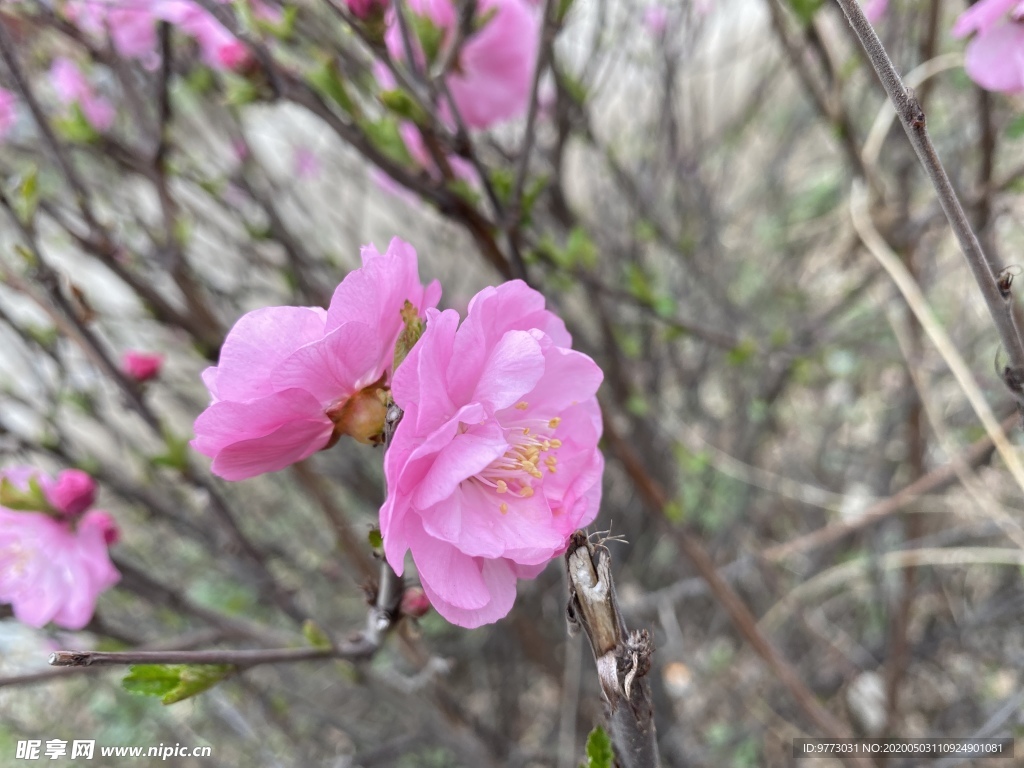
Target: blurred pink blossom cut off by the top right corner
x,y
995,58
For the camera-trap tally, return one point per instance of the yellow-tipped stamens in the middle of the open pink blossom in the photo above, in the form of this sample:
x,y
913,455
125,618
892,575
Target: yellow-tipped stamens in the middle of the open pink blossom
x,y
532,454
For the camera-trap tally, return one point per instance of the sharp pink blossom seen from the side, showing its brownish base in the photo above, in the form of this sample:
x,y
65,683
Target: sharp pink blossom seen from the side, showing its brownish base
x,y
292,380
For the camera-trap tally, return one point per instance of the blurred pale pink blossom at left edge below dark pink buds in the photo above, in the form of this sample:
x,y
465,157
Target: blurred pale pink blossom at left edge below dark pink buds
x,y
54,570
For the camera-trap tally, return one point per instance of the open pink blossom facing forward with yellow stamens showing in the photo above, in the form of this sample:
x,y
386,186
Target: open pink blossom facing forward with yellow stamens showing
x,y
495,463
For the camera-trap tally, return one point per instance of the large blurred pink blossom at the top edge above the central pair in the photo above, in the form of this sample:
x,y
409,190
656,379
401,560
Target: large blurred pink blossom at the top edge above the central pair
x,y
492,79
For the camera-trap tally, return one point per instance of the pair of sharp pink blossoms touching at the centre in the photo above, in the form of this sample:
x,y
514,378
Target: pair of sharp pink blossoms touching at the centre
x,y
495,462
